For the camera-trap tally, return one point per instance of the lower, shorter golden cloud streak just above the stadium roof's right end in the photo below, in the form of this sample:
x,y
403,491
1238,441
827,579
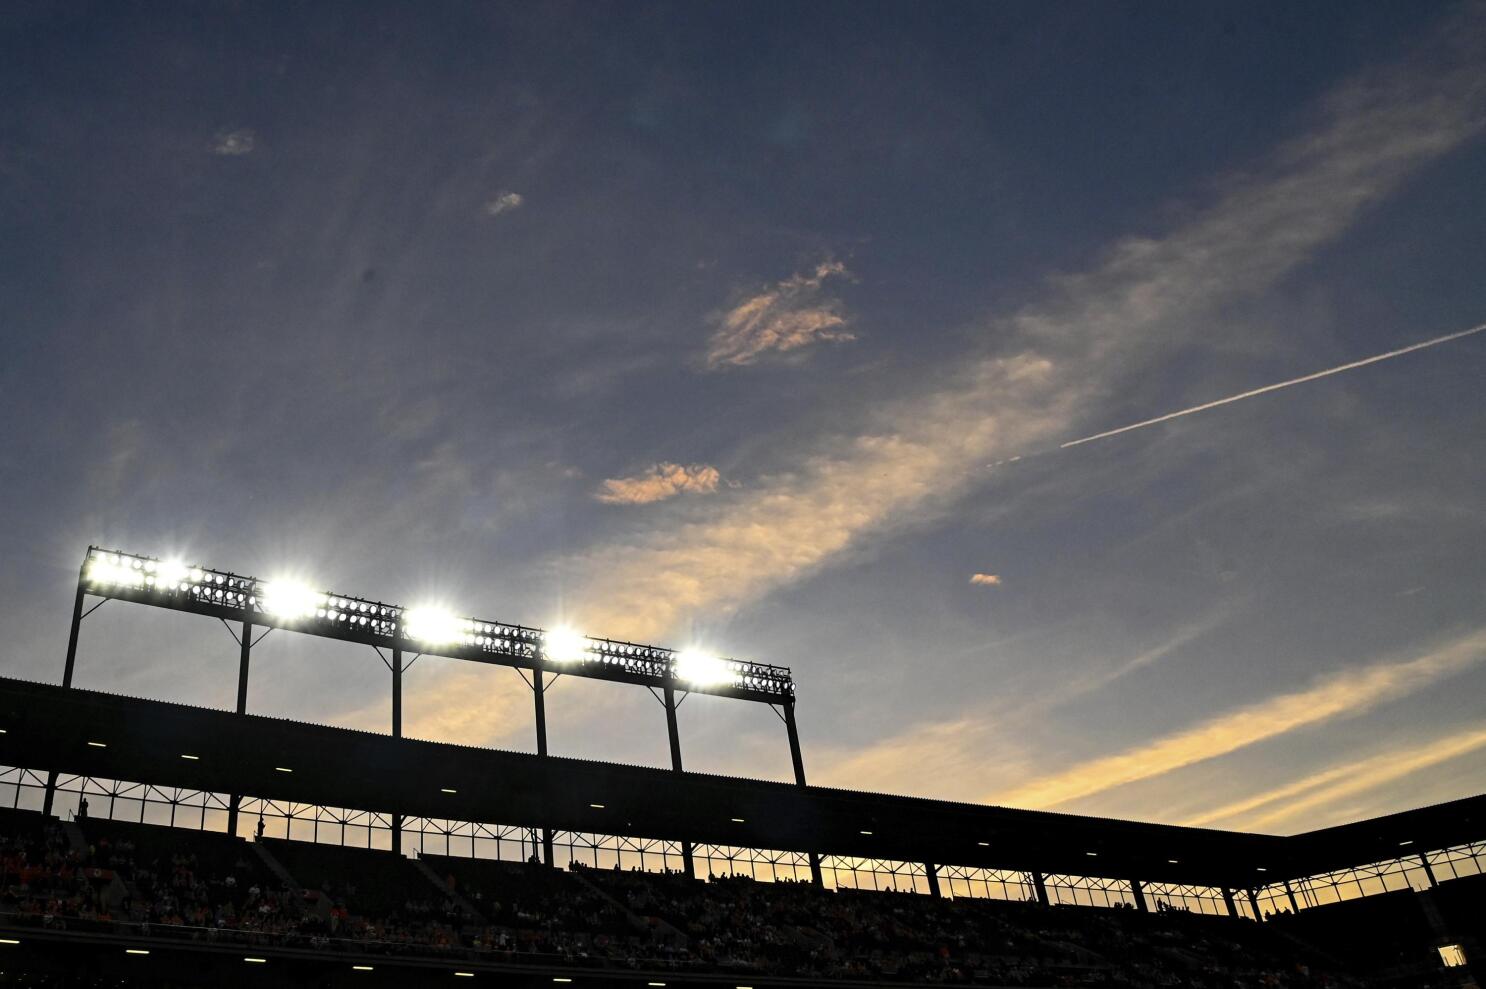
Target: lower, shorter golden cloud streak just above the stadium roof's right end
x,y
1326,789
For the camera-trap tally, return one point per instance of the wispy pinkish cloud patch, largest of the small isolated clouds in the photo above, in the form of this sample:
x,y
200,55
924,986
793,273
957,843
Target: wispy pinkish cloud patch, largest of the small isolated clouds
x,y
791,316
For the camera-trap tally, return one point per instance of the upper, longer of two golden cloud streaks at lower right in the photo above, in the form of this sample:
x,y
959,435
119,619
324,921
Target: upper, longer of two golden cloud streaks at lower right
x,y
1340,696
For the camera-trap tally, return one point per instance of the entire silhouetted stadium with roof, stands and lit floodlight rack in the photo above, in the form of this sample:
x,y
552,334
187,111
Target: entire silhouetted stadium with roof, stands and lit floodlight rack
x,y
126,853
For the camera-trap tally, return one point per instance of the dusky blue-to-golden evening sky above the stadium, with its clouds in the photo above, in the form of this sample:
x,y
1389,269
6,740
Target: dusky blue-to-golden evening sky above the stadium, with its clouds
x,y
765,329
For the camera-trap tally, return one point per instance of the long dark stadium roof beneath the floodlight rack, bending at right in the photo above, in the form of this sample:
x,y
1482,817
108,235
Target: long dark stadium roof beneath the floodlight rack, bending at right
x,y
51,728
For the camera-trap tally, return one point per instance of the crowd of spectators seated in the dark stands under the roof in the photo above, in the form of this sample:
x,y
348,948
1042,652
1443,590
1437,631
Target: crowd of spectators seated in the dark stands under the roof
x,y
329,898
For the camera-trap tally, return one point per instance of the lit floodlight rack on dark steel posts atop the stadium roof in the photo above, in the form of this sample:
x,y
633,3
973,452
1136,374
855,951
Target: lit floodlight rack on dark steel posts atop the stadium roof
x,y
539,656
